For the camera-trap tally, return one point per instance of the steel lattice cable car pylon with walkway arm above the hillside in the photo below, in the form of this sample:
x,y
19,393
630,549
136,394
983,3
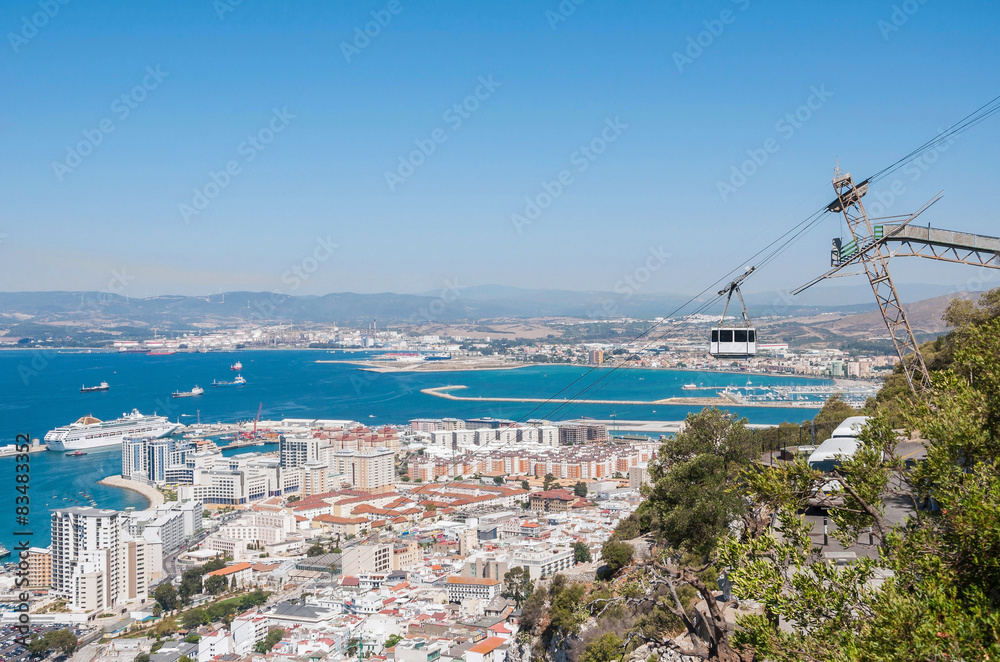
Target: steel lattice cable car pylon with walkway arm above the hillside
x,y
870,248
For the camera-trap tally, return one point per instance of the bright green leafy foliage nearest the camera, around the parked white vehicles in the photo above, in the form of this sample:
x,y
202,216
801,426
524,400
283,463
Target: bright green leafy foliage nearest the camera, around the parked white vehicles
x,y
940,599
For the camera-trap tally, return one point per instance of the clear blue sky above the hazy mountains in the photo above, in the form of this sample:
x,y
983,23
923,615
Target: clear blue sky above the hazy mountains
x,y
124,216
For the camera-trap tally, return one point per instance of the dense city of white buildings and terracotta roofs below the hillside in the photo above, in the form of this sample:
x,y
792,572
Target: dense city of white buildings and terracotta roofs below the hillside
x,y
371,553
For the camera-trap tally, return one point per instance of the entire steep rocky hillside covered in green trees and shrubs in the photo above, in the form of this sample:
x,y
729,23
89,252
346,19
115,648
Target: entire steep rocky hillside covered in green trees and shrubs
x,y
716,516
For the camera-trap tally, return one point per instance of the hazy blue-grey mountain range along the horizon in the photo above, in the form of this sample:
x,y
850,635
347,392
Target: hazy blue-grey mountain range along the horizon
x,y
26,313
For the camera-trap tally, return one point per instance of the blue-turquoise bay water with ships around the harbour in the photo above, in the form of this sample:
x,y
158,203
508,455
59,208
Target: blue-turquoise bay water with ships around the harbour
x,y
41,390
